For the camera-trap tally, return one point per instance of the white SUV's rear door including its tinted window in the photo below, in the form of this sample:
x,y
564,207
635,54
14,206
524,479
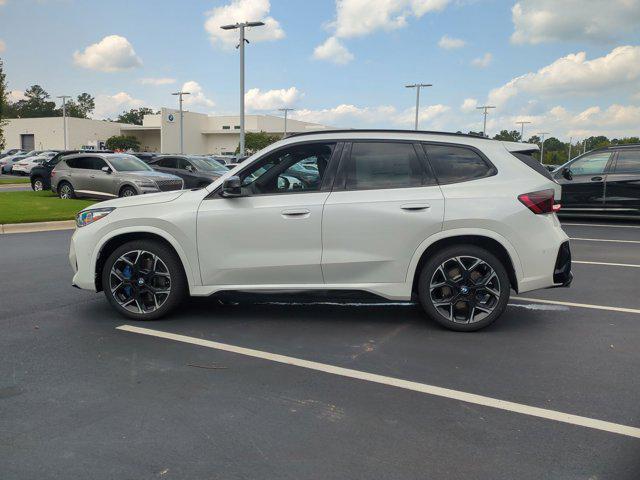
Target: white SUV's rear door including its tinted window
x,y
385,202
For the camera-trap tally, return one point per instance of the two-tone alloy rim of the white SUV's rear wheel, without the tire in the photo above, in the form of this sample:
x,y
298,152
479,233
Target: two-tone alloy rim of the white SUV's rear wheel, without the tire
x,y
464,289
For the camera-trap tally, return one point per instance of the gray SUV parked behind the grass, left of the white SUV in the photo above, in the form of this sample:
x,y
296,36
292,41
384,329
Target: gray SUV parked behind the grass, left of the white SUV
x,y
108,175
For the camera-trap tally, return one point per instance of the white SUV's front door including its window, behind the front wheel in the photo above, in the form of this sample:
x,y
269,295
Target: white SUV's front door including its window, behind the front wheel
x,y
272,234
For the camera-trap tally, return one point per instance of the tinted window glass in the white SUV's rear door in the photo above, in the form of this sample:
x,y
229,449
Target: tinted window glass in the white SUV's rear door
x,y
376,165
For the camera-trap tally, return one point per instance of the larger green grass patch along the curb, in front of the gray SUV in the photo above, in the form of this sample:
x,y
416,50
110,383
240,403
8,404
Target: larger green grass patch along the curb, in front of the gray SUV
x,y
26,207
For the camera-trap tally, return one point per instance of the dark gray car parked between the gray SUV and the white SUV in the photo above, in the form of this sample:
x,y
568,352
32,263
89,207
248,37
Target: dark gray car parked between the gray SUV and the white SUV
x,y
197,172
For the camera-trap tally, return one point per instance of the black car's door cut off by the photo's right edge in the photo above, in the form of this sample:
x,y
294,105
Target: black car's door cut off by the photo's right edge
x,y
623,183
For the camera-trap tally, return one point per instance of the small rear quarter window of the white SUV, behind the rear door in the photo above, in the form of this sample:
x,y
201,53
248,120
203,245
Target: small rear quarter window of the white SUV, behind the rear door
x,y
456,164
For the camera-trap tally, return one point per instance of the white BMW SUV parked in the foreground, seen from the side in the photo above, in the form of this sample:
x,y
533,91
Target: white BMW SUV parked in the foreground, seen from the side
x,y
453,220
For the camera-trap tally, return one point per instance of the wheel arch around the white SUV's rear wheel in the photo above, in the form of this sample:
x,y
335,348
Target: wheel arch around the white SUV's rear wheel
x,y
491,241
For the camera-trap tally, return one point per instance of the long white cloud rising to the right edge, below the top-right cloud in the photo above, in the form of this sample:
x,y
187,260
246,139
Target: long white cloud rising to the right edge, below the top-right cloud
x,y
575,74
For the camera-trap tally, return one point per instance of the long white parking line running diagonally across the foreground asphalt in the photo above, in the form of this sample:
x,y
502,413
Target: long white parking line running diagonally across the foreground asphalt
x,y
399,383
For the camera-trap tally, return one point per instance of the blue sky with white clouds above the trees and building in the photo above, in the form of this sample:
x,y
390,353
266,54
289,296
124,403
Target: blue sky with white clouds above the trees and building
x,y
570,67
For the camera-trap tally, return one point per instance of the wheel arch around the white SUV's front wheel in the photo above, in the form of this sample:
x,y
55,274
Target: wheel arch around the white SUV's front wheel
x,y
118,238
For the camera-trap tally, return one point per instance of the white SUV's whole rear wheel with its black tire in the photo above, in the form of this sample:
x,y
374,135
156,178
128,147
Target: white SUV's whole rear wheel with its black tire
x,y
466,289
